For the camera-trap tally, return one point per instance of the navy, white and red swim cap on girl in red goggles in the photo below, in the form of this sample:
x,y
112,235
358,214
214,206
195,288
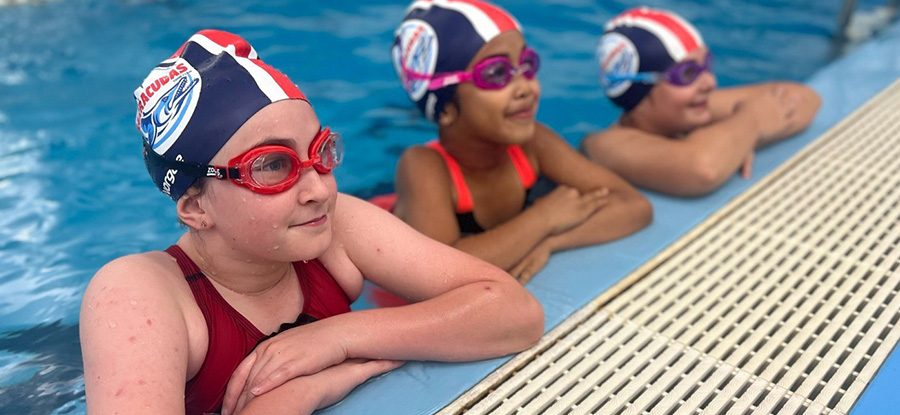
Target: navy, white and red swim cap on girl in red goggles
x,y
194,101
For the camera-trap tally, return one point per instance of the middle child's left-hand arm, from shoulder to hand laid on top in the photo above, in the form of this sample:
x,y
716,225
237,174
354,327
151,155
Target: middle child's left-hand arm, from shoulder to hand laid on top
x,y
425,201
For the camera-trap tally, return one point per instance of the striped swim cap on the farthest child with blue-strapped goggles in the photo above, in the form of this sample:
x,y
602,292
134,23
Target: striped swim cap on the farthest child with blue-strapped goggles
x,y
642,40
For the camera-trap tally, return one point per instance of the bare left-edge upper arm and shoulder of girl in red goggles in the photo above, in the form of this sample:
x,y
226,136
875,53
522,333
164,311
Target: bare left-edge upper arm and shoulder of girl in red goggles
x,y
134,341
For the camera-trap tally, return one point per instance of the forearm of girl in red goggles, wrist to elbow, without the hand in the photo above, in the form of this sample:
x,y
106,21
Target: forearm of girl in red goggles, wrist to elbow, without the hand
x,y
475,321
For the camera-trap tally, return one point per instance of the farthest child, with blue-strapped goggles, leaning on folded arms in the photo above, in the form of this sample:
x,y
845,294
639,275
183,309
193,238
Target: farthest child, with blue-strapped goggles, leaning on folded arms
x,y
679,134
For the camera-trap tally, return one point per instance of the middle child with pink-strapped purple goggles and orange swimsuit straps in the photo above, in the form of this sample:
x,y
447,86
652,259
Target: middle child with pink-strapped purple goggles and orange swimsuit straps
x,y
466,65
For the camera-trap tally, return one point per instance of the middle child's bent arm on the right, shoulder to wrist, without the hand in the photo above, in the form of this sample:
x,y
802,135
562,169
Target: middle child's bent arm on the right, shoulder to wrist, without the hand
x,y
627,211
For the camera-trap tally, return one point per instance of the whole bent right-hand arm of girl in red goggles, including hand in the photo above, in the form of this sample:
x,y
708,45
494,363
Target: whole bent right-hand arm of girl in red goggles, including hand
x,y
463,308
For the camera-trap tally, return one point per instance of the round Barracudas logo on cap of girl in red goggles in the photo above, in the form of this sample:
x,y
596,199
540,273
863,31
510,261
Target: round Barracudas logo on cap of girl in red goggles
x,y
163,110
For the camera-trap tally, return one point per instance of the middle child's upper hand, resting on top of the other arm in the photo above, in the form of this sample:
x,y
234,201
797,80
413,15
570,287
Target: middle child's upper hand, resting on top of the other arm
x,y
565,207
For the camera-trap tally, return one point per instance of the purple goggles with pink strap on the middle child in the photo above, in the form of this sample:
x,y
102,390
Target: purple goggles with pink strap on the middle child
x,y
491,73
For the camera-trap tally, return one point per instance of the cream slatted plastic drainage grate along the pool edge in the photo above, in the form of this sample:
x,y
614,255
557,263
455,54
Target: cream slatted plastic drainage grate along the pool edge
x,y
783,302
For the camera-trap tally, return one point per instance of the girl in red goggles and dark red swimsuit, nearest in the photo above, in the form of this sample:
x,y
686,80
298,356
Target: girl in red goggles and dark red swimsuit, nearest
x,y
271,247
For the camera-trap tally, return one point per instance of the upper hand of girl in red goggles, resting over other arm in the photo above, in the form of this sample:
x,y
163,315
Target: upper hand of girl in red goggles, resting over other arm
x,y
299,351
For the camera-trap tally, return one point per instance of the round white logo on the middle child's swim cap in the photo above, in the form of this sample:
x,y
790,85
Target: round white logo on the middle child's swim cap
x,y
415,50
